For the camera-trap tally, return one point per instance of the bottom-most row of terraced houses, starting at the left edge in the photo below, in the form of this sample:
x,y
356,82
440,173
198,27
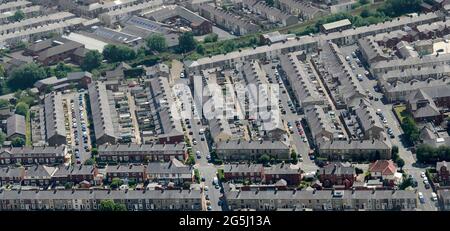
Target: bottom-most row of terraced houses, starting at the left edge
x,y
89,200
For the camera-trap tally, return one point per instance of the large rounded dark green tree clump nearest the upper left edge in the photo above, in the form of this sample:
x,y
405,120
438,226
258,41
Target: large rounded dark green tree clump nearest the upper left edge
x,y
25,76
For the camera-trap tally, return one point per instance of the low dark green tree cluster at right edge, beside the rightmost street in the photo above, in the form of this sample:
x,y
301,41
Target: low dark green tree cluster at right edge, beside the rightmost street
x,y
429,154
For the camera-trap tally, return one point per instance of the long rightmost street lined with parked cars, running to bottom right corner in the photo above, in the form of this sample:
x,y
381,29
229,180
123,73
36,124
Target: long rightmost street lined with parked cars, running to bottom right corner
x,y
386,108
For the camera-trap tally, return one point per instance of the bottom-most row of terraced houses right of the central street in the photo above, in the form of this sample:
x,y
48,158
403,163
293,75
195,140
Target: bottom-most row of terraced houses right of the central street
x,y
324,200
